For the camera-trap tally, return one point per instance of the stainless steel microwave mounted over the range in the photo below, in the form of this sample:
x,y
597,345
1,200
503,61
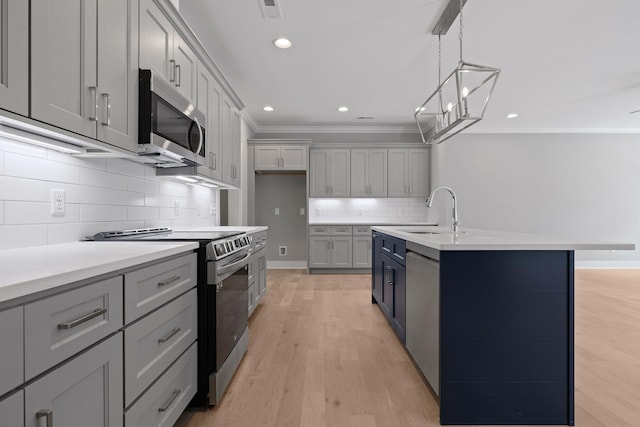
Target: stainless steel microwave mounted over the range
x,y
171,129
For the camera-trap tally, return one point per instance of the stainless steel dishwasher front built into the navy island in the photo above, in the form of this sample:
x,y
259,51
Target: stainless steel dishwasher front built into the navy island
x,y
423,316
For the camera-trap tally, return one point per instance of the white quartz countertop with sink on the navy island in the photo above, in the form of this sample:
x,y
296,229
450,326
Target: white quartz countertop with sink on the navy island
x,y
443,239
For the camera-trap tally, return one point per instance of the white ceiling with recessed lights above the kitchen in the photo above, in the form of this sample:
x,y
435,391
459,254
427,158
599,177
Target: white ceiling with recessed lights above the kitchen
x,y
567,65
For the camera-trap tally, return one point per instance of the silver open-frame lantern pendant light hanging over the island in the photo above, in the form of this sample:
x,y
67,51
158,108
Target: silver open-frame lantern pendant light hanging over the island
x,y
461,99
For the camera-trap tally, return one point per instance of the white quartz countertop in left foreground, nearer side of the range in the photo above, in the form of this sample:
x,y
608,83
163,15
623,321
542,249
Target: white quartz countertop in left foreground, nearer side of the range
x,y
31,270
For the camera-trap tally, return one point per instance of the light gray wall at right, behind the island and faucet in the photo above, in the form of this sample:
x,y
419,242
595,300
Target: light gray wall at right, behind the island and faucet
x,y
584,186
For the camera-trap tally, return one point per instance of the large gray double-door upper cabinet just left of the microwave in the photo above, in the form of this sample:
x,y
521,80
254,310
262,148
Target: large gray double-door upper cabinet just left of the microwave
x,y
84,68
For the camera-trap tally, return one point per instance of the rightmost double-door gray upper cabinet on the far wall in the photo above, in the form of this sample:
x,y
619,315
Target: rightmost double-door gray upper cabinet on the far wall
x,y
408,172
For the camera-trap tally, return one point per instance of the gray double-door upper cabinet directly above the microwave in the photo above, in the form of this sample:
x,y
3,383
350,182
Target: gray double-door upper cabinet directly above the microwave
x,y
164,51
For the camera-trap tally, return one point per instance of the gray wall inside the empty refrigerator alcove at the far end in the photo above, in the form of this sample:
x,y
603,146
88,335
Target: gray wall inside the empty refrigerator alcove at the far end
x,y
288,193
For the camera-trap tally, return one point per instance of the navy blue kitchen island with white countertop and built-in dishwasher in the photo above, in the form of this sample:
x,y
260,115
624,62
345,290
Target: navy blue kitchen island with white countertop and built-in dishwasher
x,y
487,318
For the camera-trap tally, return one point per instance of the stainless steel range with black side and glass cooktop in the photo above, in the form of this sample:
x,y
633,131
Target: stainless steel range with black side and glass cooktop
x,y
223,337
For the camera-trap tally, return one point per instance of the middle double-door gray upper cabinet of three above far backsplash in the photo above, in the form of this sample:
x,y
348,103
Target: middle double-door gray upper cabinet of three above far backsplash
x,y
369,173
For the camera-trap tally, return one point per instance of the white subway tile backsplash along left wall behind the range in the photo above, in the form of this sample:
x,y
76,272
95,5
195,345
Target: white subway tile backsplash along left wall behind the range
x,y
100,195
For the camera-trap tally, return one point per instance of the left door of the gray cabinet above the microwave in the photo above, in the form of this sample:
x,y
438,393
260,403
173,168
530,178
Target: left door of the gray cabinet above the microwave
x,y
156,40
